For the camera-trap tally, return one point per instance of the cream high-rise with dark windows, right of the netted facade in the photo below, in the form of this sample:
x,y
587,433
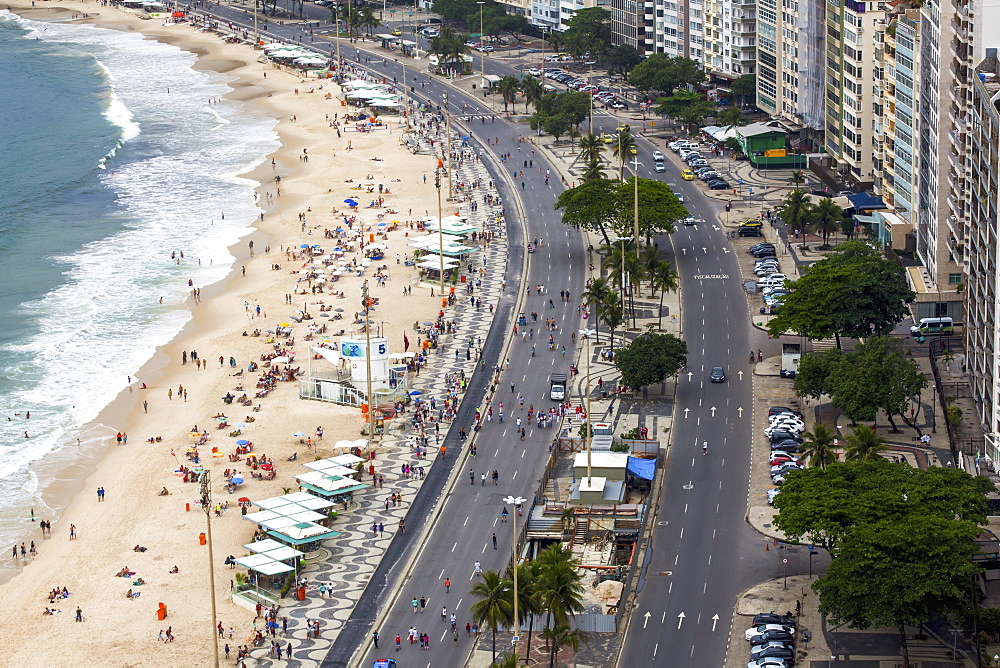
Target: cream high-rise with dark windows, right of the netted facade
x,y
851,95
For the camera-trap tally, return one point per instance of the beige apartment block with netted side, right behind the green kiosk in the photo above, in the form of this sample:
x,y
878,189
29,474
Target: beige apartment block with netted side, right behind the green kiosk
x,y
791,66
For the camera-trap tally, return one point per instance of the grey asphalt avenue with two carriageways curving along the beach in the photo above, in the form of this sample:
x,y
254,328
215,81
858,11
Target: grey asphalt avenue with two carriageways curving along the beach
x,y
700,552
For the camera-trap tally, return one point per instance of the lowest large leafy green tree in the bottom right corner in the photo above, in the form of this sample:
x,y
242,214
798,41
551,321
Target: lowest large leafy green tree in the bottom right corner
x,y
900,571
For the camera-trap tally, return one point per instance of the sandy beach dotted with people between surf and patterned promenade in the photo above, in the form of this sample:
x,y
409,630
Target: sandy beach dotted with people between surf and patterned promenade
x,y
317,168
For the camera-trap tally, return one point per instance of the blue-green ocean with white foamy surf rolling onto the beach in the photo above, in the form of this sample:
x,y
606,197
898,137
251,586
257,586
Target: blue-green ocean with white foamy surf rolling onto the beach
x,y
113,159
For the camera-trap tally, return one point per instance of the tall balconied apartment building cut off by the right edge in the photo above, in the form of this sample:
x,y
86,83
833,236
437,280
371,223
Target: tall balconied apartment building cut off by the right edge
x,y
982,331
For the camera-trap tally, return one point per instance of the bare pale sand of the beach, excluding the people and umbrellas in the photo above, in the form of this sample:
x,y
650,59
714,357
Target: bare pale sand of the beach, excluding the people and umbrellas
x,y
118,631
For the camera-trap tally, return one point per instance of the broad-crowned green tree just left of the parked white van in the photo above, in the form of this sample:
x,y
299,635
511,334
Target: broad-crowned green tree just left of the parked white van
x,y
857,291
